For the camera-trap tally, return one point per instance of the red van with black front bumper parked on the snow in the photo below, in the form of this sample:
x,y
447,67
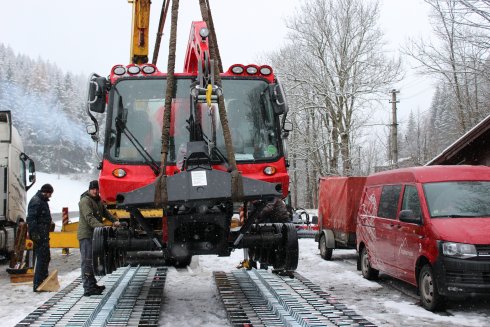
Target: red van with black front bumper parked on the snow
x,y
428,226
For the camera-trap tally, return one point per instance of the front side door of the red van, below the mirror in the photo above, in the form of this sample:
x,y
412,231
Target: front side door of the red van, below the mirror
x,y
409,235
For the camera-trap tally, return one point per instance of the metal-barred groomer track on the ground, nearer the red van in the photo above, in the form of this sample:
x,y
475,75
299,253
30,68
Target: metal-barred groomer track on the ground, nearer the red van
x,y
259,298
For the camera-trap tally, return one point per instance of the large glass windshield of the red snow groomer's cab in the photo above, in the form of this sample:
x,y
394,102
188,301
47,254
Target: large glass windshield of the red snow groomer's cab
x,y
138,108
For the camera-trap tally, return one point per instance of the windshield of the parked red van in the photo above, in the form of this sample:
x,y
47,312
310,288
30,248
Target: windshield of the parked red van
x,y
458,199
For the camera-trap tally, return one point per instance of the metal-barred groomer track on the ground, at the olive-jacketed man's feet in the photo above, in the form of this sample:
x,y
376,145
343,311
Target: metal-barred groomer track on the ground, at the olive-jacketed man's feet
x,y
133,297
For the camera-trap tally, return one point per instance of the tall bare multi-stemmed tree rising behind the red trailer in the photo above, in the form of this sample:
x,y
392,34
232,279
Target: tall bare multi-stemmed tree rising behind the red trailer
x,y
335,56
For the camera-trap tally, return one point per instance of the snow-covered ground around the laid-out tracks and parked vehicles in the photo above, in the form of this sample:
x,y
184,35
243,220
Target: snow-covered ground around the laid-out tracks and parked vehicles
x,y
191,298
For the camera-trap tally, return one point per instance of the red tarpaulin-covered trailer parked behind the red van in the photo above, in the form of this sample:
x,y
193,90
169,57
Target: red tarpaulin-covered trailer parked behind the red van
x,y
338,203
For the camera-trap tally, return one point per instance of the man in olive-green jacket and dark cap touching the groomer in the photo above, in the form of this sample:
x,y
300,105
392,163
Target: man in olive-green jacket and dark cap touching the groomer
x,y
92,210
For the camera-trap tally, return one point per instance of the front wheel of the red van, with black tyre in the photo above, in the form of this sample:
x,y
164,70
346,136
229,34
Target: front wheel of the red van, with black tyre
x,y
429,296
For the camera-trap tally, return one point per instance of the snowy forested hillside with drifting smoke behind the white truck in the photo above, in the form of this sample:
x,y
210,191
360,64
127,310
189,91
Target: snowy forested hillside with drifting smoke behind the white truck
x,y
48,110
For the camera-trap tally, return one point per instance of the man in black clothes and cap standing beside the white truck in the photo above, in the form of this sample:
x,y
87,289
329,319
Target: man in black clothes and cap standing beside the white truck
x,y
39,222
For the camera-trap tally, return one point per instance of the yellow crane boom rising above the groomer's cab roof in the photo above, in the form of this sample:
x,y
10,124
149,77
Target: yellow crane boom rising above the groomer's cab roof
x,y
139,32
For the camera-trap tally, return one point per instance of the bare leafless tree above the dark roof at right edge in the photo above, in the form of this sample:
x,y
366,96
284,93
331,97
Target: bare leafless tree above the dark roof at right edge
x,y
455,59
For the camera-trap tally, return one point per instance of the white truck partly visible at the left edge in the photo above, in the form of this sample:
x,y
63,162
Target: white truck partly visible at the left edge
x,y
17,175
